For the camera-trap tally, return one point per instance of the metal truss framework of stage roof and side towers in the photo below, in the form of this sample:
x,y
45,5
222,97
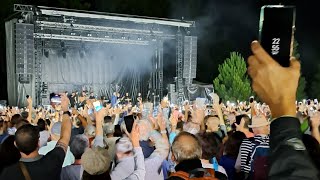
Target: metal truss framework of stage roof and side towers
x,y
53,25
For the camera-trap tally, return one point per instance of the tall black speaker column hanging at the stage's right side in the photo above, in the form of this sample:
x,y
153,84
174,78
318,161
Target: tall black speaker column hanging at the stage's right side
x,y
190,57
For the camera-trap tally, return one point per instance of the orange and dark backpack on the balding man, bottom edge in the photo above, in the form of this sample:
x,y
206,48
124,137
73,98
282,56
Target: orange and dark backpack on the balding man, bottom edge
x,y
197,174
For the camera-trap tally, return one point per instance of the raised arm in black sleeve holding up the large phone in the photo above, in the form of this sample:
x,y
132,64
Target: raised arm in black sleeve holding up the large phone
x,y
277,86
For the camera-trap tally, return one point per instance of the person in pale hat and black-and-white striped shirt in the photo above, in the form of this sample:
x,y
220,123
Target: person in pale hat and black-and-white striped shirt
x,y
261,130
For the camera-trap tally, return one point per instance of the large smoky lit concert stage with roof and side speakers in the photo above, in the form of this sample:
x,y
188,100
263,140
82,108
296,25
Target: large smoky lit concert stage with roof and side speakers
x,y
57,50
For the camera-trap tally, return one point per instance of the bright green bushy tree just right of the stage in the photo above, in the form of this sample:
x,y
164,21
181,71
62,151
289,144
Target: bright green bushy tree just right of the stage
x,y
232,83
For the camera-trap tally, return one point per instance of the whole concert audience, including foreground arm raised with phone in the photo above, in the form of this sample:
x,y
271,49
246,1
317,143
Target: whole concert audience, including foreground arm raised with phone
x,y
278,139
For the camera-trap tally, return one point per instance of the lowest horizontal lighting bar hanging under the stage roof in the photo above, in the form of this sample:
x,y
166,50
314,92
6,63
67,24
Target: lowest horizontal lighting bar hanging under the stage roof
x,y
88,39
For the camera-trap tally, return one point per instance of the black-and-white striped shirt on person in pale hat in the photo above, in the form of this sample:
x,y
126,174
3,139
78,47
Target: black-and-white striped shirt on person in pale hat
x,y
246,150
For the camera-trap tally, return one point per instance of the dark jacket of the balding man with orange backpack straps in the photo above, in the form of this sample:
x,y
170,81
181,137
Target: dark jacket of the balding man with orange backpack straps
x,y
189,165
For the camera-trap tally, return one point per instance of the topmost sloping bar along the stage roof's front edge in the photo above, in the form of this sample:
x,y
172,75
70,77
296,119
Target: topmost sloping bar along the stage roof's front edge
x,y
143,20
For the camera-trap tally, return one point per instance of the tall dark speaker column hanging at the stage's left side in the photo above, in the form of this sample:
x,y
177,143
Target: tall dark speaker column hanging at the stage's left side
x,y
24,51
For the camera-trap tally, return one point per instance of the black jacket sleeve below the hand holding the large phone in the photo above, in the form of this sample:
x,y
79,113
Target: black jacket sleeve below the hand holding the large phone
x,y
289,158
